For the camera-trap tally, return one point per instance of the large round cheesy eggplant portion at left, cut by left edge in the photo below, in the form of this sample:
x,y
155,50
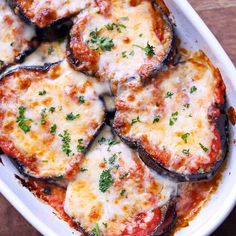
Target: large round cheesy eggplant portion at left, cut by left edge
x,y
49,116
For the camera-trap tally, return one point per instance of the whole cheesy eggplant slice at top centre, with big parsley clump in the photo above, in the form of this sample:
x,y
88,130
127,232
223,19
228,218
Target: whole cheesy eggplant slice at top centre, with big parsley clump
x,y
120,40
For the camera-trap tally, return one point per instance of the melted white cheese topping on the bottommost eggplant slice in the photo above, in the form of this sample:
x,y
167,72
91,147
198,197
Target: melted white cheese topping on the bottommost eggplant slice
x,y
144,190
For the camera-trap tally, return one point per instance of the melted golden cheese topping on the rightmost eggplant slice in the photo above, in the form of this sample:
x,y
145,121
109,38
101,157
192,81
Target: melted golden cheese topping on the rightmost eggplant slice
x,y
183,116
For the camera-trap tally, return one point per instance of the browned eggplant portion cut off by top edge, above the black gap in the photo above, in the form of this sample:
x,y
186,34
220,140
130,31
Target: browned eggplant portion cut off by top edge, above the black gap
x,y
48,14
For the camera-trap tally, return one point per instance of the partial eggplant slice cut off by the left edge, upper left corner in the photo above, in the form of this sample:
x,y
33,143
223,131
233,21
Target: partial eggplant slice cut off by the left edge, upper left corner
x,y
16,39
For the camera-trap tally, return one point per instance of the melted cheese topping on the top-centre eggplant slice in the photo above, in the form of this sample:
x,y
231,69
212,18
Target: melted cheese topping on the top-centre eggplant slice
x,y
136,28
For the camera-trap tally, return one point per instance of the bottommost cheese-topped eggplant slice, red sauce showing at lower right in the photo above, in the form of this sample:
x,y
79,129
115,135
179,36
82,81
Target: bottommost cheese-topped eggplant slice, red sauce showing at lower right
x,y
116,194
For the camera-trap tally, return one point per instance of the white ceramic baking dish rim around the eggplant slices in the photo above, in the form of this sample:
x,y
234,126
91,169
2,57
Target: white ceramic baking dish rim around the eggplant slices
x,y
40,221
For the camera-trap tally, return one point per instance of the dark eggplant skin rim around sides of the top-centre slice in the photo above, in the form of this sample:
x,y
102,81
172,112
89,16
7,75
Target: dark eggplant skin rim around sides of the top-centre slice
x,y
168,58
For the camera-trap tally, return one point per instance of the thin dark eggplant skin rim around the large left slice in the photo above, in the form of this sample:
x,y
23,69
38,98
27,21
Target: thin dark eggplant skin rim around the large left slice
x,y
20,167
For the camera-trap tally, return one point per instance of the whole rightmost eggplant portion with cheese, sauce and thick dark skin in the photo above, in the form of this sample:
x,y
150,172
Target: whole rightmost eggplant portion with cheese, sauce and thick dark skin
x,y
178,120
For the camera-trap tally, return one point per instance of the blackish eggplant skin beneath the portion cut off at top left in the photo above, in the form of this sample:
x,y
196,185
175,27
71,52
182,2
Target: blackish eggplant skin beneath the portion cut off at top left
x,y
55,30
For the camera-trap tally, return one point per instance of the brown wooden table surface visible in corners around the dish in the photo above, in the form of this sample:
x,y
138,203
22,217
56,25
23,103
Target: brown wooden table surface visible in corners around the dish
x,y
220,16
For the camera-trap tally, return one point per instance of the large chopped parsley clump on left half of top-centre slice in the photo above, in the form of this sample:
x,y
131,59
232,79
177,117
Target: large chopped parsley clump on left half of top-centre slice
x,y
100,42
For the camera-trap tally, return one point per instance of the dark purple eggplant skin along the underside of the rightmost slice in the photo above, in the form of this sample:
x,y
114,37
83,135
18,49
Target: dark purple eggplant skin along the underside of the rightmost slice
x,y
223,127
